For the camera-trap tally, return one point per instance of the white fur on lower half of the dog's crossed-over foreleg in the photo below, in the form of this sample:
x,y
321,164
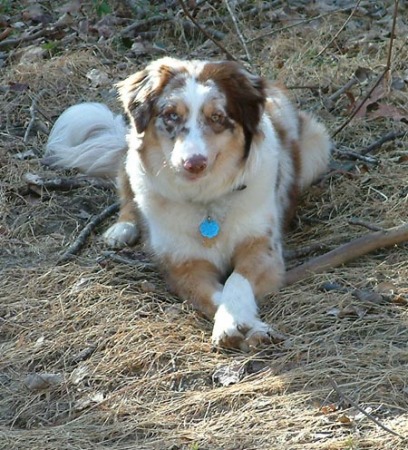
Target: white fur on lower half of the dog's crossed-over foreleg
x,y
236,316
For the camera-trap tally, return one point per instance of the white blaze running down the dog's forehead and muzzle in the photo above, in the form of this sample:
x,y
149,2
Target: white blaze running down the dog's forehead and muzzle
x,y
191,142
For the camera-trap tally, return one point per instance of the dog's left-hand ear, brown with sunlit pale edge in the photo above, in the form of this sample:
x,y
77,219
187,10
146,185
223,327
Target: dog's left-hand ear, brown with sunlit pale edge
x,y
140,91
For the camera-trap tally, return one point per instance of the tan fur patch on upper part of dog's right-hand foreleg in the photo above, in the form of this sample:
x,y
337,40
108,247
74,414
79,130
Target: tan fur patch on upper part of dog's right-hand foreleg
x,y
257,261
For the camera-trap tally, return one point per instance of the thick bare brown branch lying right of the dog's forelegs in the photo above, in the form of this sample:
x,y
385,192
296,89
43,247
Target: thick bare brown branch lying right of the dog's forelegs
x,y
348,252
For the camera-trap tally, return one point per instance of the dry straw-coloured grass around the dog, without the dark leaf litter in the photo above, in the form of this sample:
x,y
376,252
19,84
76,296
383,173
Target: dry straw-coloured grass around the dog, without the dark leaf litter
x,y
136,364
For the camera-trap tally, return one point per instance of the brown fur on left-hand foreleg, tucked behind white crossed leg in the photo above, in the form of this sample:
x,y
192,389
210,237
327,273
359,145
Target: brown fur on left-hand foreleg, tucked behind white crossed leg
x,y
196,281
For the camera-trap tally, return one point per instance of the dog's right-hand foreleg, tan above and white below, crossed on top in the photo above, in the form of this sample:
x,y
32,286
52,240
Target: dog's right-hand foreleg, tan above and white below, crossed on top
x,y
258,270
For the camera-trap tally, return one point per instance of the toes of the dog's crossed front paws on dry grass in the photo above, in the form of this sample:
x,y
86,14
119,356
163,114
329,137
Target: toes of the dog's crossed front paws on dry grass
x,y
231,333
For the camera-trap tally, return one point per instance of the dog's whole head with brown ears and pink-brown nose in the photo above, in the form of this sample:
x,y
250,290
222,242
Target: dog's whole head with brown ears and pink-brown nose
x,y
198,118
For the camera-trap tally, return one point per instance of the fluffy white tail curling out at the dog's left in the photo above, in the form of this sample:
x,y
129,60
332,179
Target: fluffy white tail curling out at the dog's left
x,y
87,137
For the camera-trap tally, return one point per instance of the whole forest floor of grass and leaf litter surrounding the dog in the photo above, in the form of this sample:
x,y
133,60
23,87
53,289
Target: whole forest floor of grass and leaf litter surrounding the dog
x,y
94,351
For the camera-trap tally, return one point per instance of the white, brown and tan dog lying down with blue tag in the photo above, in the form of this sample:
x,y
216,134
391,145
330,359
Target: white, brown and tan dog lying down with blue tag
x,y
208,171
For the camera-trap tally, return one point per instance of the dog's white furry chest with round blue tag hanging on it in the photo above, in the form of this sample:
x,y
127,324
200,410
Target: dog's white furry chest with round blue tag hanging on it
x,y
183,231
